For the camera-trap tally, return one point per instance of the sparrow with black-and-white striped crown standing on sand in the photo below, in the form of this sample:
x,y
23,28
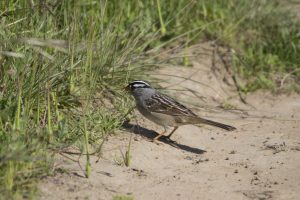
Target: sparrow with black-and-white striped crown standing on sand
x,y
164,110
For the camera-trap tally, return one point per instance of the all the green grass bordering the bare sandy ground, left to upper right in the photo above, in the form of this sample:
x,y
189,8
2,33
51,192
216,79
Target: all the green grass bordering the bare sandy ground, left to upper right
x,y
63,65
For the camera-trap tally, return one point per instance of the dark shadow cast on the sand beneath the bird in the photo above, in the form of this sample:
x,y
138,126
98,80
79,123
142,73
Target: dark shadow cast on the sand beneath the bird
x,y
150,134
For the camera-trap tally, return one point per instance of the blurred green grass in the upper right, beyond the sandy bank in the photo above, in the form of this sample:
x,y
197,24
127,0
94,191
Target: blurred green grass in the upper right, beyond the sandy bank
x,y
264,36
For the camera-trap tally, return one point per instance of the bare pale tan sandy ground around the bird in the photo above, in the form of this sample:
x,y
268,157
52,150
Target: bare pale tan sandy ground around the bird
x,y
260,160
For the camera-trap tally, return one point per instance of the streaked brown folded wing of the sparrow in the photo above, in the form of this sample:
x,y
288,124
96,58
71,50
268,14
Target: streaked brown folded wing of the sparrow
x,y
163,104
